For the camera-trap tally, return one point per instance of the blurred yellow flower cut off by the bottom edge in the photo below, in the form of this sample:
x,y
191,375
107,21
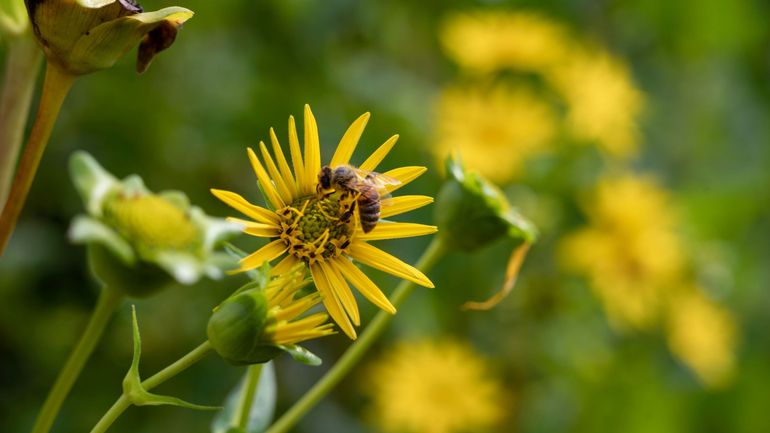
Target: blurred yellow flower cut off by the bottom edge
x,y
434,387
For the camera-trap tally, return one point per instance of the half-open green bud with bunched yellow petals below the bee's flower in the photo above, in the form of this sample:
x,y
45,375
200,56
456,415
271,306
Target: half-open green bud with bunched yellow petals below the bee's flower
x,y
262,319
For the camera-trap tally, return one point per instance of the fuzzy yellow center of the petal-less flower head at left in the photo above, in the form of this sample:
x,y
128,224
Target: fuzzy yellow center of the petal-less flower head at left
x,y
151,222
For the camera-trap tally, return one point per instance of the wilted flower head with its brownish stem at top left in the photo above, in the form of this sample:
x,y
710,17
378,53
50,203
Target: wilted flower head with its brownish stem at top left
x,y
79,37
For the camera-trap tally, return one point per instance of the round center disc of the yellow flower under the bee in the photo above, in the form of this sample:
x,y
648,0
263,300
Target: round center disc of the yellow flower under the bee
x,y
316,228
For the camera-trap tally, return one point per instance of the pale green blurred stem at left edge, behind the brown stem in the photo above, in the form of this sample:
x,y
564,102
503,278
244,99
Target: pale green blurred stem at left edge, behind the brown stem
x,y
21,69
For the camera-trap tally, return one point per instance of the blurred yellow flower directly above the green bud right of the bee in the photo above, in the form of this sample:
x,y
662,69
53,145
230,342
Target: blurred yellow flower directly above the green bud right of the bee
x,y
495,129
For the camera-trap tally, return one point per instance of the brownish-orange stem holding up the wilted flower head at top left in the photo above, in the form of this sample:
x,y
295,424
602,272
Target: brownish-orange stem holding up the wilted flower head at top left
x,y
55,88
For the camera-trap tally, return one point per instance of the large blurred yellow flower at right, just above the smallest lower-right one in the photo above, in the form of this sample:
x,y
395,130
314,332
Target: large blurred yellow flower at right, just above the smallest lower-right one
x,y
630,252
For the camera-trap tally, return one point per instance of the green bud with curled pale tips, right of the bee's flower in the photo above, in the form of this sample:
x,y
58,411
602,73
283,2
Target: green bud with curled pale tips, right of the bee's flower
x,y
471,212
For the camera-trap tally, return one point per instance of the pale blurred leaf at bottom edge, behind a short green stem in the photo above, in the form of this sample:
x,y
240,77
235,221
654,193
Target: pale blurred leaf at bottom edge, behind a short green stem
x,y
250,406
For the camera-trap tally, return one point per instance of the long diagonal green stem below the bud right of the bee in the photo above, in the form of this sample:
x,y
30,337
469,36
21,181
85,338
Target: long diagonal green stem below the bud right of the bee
x,y
357,350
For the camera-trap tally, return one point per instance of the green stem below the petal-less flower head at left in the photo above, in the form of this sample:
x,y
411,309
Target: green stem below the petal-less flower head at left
x,y
105,306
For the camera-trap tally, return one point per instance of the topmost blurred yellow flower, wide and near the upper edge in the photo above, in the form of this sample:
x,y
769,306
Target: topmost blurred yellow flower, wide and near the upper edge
x,y
490,40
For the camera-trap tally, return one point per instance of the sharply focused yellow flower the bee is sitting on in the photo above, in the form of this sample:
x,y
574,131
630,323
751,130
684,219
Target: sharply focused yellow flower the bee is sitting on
x,y
310,226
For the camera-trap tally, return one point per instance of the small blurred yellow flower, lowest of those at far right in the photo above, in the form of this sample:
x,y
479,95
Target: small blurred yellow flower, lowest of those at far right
x,y
702,335
